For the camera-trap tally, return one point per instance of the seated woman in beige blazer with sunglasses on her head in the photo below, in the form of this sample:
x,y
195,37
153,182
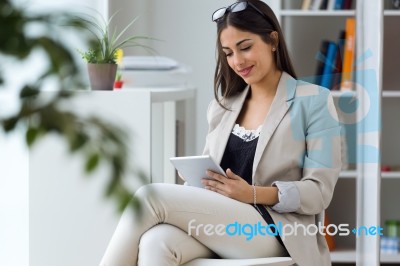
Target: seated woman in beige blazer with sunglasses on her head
x,y
277,138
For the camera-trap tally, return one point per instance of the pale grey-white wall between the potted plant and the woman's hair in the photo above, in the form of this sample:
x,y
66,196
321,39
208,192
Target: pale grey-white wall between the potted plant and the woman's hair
x,y
188,35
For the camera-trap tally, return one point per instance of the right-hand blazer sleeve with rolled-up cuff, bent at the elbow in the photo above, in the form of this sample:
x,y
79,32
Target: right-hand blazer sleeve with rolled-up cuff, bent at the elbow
x,y
322,159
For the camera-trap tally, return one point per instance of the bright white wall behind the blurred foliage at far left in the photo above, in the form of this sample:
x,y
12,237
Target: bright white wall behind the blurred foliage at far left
x,y
14,159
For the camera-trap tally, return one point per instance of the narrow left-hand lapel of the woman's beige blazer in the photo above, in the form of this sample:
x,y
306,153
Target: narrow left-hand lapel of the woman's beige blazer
x,y
227,123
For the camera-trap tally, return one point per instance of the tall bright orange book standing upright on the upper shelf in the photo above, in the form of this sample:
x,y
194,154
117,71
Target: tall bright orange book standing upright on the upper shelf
x,y
348,59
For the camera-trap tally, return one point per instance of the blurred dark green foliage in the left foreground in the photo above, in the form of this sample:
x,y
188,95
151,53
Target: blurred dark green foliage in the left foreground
x,y
97,140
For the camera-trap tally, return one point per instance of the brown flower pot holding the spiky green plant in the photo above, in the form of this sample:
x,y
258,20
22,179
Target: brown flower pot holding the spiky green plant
x,y
102,76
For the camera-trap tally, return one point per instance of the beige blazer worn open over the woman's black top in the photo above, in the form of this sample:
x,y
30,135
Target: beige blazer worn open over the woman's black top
x,y
300,143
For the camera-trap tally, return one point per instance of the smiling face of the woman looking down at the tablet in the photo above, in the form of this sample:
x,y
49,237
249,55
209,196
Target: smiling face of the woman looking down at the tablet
x,y
248,55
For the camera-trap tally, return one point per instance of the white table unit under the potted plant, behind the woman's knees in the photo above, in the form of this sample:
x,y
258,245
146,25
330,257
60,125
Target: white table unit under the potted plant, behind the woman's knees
x,y
70,221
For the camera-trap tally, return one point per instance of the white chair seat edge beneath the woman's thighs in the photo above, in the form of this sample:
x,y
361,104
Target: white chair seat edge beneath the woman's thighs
x,y
274,261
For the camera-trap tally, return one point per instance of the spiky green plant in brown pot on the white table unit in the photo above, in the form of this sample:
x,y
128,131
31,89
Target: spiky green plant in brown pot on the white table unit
x,y
102,56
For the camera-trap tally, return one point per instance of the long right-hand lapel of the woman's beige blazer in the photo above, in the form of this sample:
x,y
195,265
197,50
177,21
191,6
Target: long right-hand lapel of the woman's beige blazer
x,y
280,105
